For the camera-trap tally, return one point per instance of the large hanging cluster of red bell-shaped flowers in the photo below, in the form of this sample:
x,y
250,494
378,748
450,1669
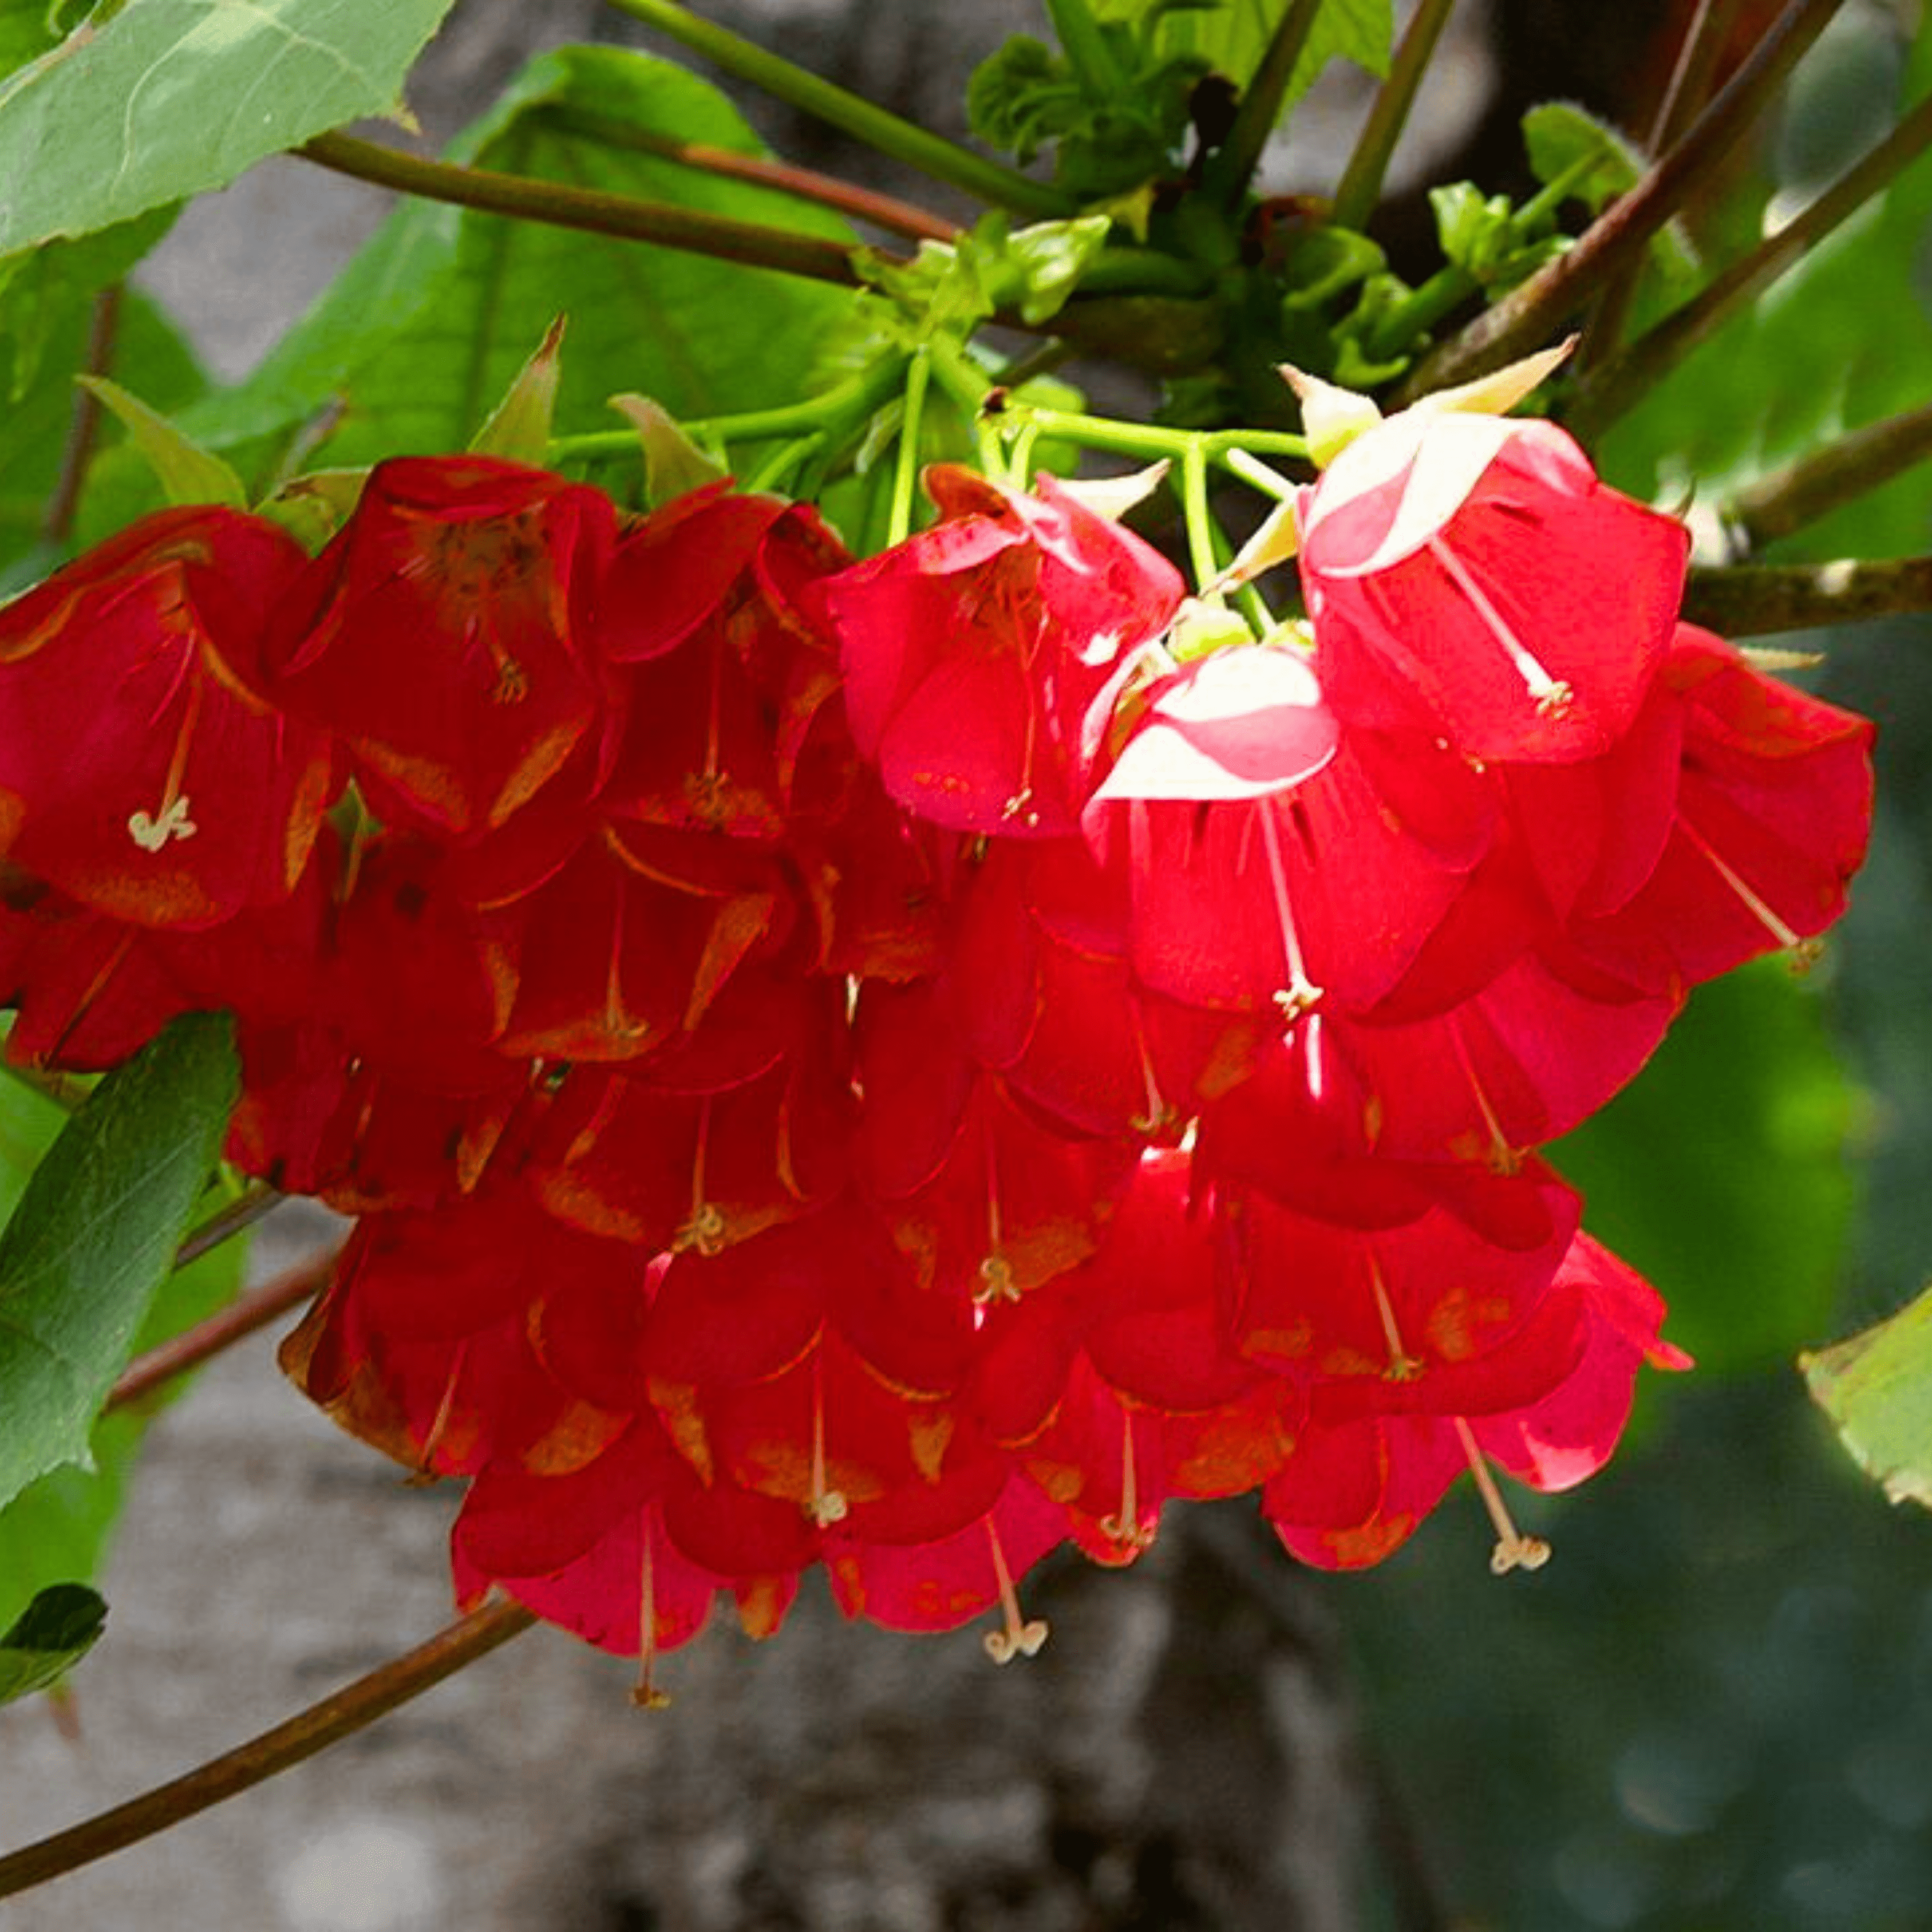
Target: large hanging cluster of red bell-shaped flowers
x,y
901,1065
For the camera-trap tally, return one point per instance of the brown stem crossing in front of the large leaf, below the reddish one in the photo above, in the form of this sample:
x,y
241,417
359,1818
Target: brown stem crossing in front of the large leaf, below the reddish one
x,y
584,208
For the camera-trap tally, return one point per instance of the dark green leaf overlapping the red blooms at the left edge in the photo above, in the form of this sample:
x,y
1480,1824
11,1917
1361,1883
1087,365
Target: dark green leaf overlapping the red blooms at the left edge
x,y
94,1237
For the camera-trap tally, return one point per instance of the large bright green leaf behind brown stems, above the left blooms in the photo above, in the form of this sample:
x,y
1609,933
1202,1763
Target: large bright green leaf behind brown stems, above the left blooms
x,y
428,327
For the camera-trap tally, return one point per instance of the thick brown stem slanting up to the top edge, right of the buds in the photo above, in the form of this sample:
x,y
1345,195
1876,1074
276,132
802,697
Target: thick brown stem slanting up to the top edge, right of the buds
x,y
1533,314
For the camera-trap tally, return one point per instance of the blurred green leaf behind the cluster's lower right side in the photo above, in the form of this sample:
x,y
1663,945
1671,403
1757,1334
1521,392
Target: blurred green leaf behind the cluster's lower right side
x,y
1722,1172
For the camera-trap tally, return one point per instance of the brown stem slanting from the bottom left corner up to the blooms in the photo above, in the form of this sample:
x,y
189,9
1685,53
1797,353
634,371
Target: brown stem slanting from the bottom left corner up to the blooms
x,y
333,1719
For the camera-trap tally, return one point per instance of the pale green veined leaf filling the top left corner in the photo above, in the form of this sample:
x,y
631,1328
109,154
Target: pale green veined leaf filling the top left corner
x,y
175,98
